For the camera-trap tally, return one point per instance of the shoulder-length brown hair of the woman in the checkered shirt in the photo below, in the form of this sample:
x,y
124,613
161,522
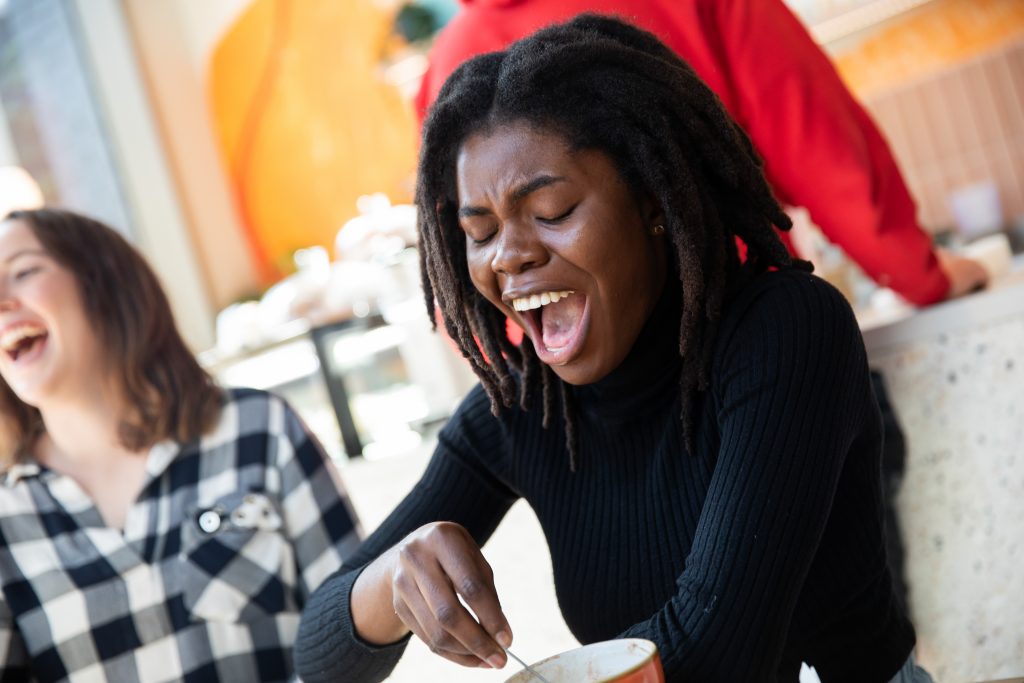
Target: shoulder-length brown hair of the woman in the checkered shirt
x,y
170,396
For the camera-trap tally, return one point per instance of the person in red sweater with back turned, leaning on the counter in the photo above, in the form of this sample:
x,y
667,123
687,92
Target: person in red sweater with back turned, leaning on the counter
x,y
821,149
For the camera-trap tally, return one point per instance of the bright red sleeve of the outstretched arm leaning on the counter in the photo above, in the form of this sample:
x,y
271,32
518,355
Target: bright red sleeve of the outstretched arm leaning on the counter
x,y
822,150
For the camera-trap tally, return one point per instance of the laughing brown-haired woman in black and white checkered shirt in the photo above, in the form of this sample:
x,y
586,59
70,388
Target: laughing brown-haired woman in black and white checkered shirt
x,y
153,527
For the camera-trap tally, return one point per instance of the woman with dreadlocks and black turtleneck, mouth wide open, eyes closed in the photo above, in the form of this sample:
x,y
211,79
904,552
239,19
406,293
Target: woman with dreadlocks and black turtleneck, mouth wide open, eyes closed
x,y
696,433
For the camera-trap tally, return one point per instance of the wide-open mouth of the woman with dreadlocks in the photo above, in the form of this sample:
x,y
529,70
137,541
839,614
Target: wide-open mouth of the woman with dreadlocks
x,y
556,322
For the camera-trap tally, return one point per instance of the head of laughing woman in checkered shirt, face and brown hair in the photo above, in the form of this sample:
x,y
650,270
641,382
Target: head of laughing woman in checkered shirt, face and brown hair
x,y
70,330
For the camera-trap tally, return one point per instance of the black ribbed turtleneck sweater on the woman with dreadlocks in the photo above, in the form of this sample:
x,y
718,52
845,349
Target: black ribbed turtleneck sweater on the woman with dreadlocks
x,y
761,550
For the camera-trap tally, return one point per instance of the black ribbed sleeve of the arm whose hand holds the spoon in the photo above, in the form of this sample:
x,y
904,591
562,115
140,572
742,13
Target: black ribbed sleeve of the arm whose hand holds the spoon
x,y
459,486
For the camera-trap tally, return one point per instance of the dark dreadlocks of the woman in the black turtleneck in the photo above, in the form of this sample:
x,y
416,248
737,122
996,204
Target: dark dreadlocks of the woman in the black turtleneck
x,y
602,84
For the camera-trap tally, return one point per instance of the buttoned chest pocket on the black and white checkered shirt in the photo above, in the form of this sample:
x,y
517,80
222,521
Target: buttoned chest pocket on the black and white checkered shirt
x,y
238,565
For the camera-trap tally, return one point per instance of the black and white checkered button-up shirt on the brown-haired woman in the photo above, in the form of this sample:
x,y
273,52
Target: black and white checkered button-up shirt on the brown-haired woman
x,y
206,583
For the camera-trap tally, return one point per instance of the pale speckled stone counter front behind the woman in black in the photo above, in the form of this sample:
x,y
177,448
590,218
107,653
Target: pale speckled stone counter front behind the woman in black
x,y
955,378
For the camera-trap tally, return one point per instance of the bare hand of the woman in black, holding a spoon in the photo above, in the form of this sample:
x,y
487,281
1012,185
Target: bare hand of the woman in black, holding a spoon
x,y
416,586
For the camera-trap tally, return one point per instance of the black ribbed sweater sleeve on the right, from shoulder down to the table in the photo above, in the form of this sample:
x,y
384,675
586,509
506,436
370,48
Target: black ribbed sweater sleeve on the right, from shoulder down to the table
x,y
790,392
